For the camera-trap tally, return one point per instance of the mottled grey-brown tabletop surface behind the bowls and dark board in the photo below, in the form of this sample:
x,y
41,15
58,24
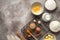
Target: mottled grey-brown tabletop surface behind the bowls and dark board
x,y
15,14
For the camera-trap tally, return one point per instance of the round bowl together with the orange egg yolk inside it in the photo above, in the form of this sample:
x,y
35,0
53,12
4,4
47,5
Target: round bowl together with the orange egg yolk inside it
x,y
37,8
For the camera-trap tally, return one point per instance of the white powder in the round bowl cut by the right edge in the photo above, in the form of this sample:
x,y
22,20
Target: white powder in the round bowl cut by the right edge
x,y
54,26
